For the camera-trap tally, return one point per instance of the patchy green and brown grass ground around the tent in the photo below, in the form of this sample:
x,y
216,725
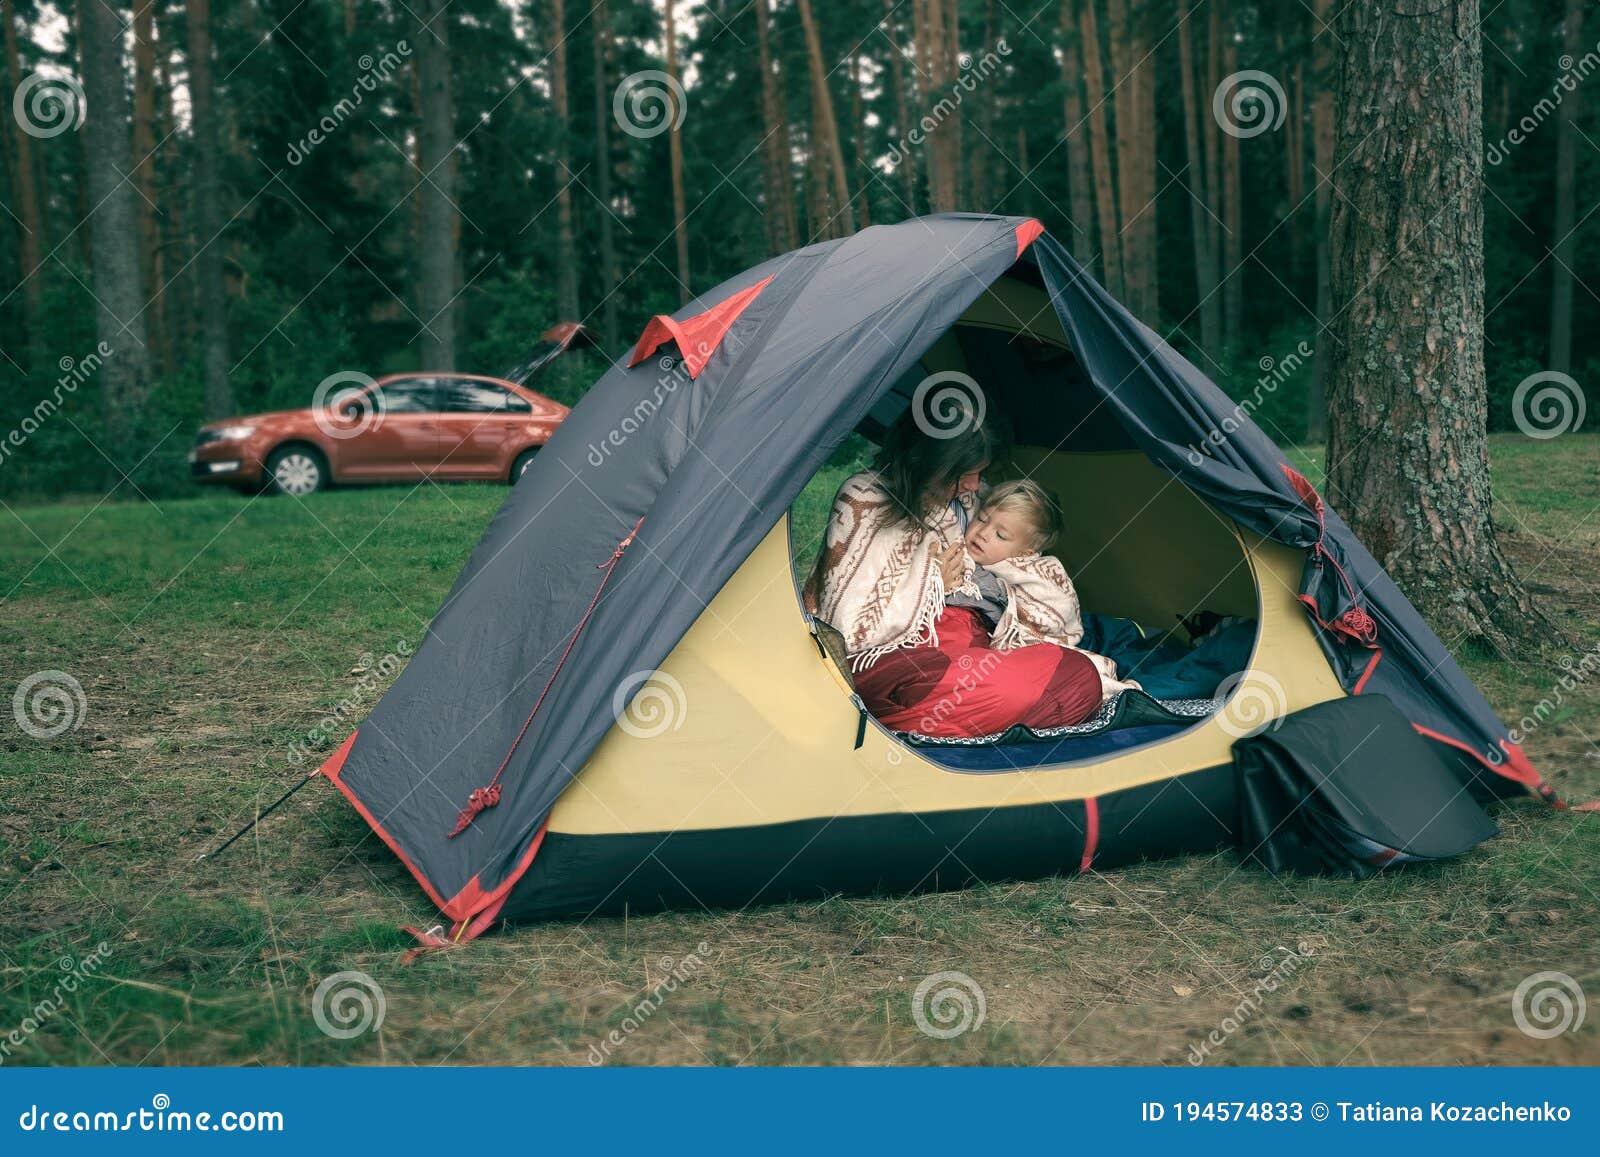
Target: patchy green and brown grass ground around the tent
x,y
212,636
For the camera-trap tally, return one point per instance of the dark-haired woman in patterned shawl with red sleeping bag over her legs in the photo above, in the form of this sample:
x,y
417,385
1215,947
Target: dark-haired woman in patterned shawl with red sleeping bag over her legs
x,y
892,559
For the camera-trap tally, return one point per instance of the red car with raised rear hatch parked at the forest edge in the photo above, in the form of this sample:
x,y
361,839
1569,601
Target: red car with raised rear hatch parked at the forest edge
x,y
401,428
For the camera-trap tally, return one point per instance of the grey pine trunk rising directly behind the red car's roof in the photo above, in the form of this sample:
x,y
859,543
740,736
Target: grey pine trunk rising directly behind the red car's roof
x,y
438,145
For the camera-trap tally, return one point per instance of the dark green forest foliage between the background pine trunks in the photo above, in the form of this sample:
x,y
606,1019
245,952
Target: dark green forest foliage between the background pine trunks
x,y
322,239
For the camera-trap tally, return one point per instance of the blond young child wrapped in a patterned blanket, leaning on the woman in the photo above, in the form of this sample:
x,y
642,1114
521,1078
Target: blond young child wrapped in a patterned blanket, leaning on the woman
x,y
1023,593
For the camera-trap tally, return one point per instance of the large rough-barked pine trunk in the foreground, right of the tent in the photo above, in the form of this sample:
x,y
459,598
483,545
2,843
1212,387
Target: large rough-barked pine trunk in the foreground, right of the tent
x,y
1407,409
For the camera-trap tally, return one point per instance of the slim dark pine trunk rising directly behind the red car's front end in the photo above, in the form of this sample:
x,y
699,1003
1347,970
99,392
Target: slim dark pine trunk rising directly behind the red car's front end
x,y
209,217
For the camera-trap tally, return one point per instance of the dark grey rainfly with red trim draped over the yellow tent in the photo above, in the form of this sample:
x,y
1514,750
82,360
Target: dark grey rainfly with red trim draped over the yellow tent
x,y
678,465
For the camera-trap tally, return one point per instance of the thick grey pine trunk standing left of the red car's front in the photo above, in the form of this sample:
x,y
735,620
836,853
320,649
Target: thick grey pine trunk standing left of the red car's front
x,y
114,228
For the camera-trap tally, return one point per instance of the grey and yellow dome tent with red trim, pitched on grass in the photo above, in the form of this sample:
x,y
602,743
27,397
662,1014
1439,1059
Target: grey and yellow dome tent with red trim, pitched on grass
x,y
646,556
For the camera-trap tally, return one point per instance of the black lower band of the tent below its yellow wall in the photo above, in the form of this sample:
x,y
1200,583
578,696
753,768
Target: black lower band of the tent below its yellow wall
x,y
729,870
